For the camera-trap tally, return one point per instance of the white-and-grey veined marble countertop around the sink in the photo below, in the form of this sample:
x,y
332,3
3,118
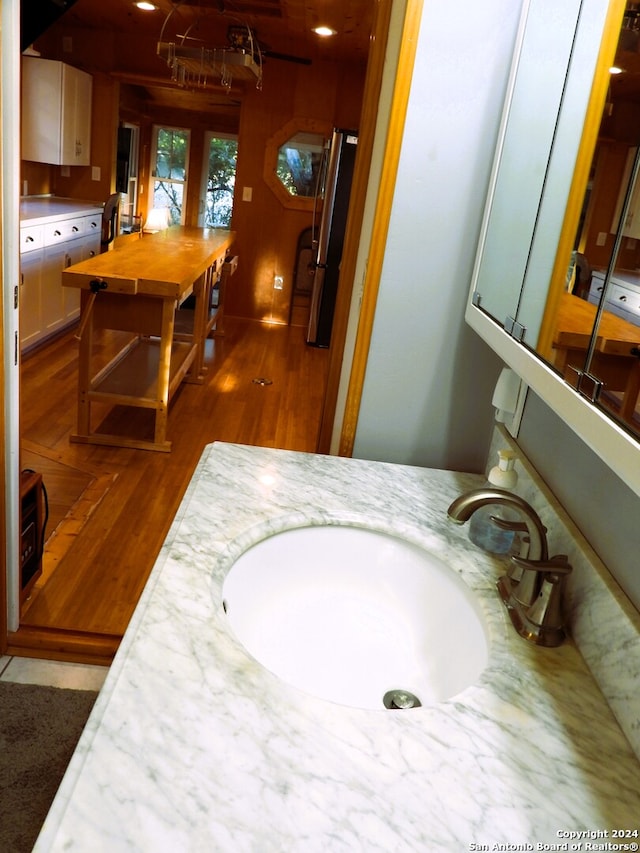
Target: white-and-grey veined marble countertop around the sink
x,y
193,746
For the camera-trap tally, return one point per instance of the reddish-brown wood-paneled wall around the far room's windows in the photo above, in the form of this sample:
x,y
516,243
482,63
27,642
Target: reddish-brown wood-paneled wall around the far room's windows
x,y
267,232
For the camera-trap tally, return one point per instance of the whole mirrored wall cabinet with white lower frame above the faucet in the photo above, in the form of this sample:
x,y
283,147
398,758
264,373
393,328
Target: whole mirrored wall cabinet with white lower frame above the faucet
x,y
556,287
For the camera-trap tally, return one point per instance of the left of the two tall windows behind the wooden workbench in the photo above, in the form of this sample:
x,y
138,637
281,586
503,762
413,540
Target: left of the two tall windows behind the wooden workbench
x,y
170,156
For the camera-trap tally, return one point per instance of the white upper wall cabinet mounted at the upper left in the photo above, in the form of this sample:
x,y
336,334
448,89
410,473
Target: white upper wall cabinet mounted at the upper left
x,y
56,113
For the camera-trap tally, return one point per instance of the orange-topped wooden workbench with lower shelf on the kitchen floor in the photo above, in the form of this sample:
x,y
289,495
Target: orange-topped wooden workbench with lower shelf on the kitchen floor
x,y
137,288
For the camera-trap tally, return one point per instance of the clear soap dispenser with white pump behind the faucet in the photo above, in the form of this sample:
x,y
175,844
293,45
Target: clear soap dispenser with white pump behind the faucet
x,y
483,531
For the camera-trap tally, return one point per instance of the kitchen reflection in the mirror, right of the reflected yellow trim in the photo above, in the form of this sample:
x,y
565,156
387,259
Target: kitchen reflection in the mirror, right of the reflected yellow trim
x,y
596,339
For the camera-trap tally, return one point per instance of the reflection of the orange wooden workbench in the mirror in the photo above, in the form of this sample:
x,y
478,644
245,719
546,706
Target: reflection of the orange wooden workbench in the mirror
x,y
614,361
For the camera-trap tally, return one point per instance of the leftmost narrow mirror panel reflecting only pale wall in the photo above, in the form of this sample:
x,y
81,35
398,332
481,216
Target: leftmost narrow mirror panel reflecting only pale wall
x,y
535,97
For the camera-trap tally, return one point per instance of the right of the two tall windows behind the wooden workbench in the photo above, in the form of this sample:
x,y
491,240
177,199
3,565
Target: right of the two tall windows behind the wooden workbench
x,y
219,179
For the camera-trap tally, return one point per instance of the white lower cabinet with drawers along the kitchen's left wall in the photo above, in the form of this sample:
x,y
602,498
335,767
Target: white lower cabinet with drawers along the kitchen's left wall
x,y
46,307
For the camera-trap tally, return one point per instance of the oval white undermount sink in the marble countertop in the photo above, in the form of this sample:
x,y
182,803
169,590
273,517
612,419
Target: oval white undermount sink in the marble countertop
x,y
354,615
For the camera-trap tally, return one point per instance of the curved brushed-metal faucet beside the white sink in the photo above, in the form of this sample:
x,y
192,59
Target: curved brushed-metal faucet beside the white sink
x,y
532,588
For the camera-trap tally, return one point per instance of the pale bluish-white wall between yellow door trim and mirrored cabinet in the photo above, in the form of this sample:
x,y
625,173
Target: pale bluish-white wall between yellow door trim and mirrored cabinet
x,y
429,378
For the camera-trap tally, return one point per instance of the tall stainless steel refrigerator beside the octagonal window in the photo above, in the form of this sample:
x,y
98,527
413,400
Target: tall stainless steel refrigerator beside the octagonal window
x,y
328,234
